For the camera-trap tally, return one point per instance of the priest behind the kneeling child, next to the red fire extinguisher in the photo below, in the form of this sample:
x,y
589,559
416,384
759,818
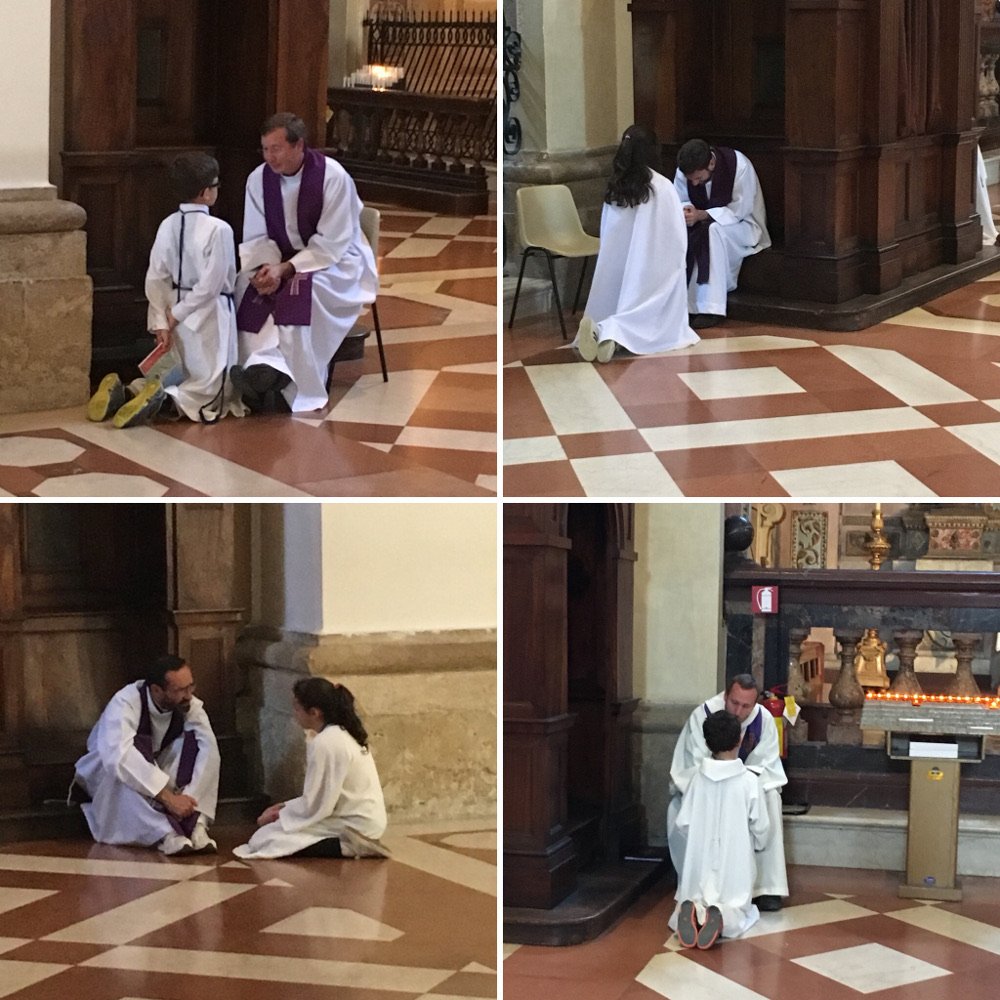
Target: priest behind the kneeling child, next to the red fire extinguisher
x,y
758,749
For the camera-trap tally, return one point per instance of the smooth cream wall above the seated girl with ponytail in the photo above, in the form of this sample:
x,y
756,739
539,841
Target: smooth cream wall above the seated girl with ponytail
x,y
348,568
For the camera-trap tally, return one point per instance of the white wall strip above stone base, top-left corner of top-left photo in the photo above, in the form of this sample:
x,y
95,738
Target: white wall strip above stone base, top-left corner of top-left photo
x,y
24,81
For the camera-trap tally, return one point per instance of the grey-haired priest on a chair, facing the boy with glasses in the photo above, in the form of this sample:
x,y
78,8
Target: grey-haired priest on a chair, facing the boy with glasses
x,y
307,271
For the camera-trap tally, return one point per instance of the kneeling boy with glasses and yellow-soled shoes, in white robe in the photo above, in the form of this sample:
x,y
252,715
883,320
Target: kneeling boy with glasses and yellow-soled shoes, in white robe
x,y
189,285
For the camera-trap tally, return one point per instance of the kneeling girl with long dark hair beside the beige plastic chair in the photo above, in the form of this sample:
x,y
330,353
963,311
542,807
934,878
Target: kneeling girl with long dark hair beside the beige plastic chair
x,y
638,298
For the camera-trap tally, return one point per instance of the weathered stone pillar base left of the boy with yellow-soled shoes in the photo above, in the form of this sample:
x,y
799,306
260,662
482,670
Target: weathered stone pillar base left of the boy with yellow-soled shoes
x,y
46,302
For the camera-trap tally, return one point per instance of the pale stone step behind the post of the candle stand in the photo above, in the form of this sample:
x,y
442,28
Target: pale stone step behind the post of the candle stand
x,y
876,839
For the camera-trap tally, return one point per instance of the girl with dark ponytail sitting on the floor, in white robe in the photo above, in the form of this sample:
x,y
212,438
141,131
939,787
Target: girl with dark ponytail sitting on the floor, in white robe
x,y
341,811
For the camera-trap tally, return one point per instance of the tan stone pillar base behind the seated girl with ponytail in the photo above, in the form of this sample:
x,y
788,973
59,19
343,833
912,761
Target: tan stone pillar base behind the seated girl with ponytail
x,y
428,701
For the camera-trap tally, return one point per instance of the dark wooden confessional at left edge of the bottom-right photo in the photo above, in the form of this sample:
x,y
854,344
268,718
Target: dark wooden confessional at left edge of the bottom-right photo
x,y
568,796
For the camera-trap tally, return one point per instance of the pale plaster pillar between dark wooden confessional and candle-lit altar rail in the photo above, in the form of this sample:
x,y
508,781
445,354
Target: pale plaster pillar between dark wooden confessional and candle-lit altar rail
x,y
679,652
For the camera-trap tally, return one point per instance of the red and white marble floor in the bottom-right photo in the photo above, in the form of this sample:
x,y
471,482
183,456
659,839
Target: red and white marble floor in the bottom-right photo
x,y
843,933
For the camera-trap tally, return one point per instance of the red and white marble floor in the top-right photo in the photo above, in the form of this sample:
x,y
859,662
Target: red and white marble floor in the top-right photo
x,y
912,405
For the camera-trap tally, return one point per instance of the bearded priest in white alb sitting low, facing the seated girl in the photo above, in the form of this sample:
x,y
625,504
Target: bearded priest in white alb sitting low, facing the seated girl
x,y
151,772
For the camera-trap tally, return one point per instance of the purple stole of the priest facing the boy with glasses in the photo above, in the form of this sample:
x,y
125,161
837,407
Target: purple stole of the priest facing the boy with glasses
x,y
291,304
